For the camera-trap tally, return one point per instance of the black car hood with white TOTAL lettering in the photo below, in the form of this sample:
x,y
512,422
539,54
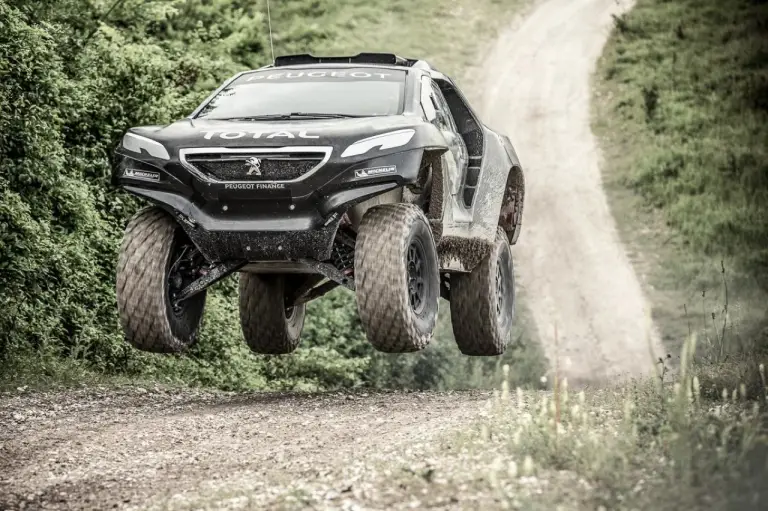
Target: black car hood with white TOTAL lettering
x,y
337,133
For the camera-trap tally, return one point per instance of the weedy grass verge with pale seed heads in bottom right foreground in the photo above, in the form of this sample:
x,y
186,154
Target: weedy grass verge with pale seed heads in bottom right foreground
x,y
642,445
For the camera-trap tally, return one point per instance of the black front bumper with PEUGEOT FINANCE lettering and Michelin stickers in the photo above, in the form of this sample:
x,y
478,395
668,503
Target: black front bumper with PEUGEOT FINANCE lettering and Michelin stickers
x,y
296,219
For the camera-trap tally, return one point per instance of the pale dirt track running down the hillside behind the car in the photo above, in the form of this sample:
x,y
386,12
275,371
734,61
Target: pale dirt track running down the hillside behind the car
x,y
571,264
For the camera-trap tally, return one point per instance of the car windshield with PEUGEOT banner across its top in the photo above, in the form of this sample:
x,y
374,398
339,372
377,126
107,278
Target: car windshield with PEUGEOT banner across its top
x,y
354,92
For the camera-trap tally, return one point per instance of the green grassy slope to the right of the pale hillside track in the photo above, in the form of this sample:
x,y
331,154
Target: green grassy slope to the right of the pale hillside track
x,y
681,110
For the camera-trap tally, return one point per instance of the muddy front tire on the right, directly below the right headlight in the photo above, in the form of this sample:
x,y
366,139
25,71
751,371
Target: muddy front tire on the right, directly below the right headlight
x,y
396,278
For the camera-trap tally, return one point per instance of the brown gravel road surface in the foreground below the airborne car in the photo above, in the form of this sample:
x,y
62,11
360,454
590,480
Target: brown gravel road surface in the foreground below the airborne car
x,y
136,448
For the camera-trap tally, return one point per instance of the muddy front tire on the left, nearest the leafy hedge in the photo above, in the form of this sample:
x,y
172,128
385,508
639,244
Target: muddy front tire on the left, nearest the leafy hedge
x,y
152,243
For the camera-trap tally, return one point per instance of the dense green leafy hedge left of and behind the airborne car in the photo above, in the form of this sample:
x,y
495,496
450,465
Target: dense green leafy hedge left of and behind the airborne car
x,y
74,74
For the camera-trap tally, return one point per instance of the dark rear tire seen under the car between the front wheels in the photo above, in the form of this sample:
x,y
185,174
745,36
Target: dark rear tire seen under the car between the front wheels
x,y
268,326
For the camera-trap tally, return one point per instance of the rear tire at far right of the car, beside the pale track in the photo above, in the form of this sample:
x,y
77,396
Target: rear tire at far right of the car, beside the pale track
x,y
483,302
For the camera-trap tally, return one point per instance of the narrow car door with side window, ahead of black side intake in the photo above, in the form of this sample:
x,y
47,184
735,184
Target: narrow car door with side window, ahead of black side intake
x,y
437,111
